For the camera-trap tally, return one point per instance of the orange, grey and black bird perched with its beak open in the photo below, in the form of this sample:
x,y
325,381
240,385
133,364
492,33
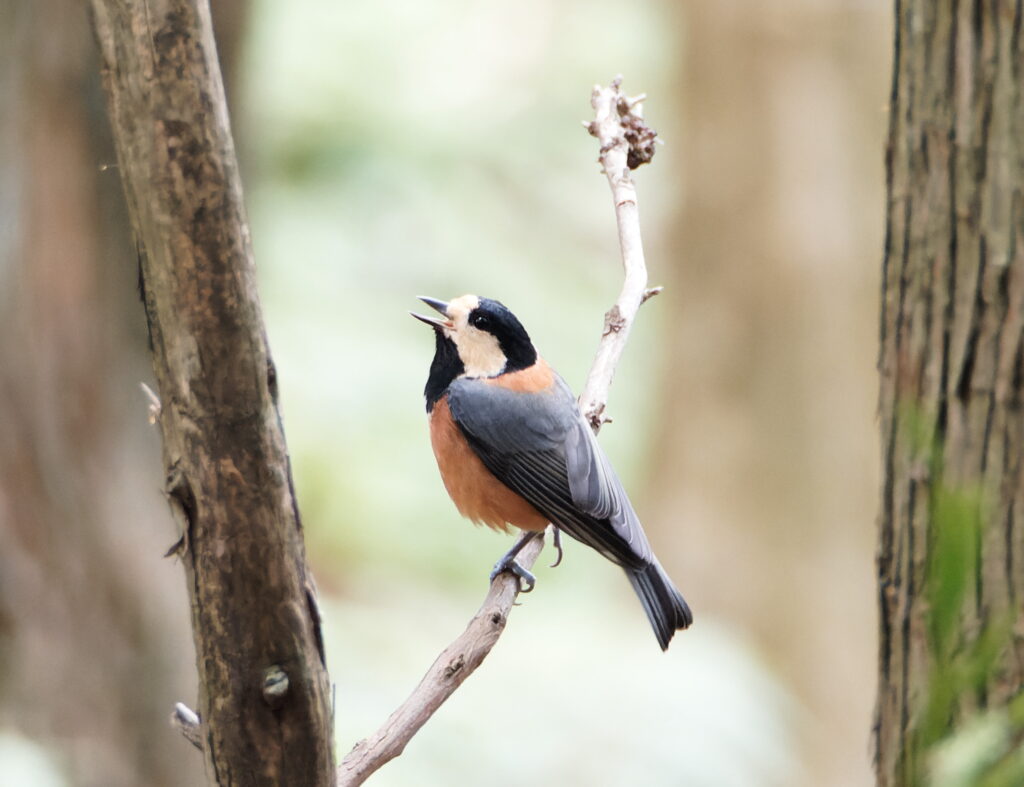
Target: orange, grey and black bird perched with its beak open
x,y
514,450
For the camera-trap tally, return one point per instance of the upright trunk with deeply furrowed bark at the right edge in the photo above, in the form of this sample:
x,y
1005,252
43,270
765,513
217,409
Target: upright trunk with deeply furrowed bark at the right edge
x,y
953,424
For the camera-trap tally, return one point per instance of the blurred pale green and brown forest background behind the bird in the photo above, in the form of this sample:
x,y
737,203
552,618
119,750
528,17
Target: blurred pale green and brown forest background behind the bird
x,y
396,149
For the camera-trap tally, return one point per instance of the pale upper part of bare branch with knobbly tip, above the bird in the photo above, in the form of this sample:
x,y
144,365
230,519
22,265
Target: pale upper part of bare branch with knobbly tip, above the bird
x,y
626,143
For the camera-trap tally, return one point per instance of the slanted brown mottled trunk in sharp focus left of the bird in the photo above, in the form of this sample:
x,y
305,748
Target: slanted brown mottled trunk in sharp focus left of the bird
x,y
264,688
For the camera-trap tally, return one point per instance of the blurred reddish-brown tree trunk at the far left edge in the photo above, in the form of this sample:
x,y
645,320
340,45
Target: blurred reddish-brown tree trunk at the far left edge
x,y
95,640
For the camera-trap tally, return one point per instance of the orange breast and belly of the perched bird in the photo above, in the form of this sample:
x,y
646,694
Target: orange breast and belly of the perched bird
x,y
474,489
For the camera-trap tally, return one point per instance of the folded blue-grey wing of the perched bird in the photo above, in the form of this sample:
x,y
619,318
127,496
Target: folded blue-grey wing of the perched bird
x,y
539,446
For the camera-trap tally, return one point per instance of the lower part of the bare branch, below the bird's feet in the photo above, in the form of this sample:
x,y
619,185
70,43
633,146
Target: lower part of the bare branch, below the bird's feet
x,y
446,675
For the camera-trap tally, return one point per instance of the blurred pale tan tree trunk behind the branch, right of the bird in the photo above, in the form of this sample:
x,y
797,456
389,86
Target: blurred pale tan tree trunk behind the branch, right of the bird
x,y
763,483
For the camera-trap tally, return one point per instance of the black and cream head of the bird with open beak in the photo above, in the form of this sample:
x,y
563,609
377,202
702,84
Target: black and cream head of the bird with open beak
x,y
478,338
